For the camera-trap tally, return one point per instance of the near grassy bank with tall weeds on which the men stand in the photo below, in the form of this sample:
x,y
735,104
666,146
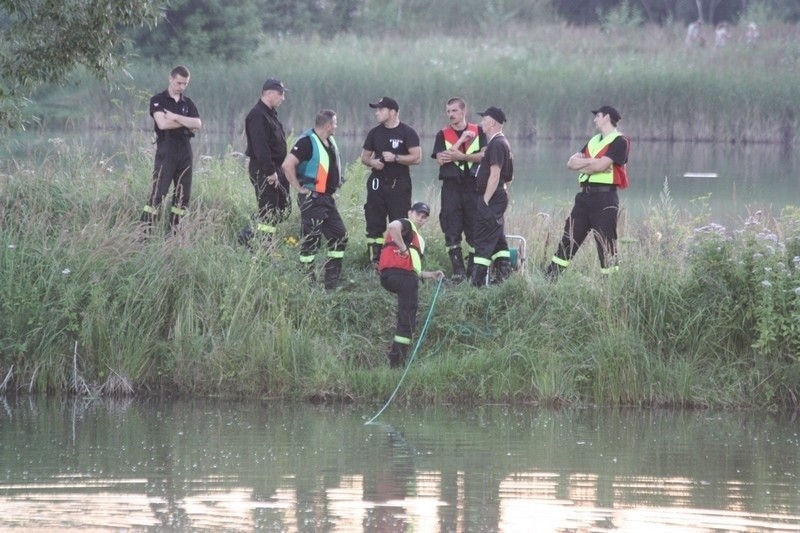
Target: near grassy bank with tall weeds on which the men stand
x,y
698,316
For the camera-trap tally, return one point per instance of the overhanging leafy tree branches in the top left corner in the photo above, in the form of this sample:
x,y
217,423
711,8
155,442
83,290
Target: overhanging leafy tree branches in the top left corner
x,y
43,41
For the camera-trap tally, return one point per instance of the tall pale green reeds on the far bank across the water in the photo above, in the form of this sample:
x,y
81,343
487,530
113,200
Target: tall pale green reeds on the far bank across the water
x,y
547,78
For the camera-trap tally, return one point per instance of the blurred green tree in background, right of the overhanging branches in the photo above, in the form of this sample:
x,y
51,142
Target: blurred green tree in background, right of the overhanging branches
x,y
224,29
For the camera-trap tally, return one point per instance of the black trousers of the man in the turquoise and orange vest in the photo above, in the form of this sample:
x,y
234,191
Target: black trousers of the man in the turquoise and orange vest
x,y
320,218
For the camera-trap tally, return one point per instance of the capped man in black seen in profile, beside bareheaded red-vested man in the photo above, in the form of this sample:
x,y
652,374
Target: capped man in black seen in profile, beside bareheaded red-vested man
x,y
495,171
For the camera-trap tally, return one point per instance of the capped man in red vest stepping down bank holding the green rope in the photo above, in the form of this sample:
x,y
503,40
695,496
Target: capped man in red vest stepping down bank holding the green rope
x,y
400,266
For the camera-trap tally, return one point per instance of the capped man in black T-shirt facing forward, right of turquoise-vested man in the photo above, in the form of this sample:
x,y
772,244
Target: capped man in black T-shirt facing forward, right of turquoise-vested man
x,y
389,149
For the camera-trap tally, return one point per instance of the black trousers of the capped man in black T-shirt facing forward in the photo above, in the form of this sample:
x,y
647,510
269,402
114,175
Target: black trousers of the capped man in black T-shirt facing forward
x,y
387,199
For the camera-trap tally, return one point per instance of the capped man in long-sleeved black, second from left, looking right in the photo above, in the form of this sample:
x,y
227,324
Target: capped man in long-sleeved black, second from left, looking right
x,y
266,148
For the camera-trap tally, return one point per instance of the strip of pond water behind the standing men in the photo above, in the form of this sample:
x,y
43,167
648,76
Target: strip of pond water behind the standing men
x,y
748,178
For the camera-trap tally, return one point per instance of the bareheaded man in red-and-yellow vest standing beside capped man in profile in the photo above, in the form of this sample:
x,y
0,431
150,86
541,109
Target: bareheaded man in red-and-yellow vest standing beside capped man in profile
x,y
457,148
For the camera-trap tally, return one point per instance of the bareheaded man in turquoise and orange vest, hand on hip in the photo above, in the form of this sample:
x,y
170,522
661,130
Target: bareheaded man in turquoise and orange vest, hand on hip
x,y
314,170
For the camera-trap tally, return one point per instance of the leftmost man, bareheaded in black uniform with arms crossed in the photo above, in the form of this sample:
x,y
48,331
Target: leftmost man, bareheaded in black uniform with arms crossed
x,y
175,119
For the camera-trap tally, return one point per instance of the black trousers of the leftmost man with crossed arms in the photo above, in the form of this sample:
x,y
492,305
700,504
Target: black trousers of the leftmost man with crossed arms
x,y
173,166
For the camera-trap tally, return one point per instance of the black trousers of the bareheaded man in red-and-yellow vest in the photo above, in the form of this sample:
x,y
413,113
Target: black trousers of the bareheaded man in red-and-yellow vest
x,y
457,216
